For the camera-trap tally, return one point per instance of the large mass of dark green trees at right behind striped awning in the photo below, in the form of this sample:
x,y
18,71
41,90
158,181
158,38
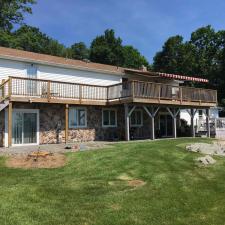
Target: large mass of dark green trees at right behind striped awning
x,y
203,56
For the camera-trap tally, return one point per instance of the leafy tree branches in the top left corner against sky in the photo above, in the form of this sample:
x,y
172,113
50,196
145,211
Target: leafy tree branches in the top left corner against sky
x,y
11,12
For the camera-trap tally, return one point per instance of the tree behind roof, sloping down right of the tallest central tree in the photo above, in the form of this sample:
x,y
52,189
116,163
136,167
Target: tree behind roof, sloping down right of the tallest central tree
x,y
133,58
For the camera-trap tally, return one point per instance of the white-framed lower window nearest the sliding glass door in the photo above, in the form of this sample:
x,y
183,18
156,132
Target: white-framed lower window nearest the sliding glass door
x,y
77,117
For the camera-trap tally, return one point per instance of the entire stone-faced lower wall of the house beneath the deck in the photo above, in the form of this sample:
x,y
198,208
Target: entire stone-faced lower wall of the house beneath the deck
x,y
52,124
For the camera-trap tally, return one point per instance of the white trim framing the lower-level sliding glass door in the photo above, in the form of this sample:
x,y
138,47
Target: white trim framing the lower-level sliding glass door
x,y
24,111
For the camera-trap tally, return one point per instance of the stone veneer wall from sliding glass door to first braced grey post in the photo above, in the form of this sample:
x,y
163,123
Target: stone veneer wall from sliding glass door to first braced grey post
x,y
52,124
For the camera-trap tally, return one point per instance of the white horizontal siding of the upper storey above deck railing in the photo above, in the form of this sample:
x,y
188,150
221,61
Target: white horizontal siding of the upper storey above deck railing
x,y
19,69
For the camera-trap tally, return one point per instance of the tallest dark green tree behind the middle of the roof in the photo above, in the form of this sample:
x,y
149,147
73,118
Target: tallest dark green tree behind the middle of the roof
x,y
107,49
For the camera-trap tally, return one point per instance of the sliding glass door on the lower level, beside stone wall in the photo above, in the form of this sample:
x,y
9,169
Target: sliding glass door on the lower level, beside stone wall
x,y
25,127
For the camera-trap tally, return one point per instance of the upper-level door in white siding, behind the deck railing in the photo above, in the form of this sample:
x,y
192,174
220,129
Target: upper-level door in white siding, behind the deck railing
x,y
31,84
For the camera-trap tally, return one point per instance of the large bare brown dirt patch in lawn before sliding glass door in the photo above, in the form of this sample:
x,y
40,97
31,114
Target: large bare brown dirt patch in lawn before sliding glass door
x,y
33,160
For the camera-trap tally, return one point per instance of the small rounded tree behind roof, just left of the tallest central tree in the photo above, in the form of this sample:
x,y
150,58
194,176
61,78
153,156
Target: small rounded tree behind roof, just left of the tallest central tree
x,y
79,51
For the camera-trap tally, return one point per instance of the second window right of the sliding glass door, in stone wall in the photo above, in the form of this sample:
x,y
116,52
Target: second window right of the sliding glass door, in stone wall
x,y
109,118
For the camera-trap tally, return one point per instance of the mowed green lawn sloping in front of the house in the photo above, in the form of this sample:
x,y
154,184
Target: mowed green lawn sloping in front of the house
x,y
88,190
